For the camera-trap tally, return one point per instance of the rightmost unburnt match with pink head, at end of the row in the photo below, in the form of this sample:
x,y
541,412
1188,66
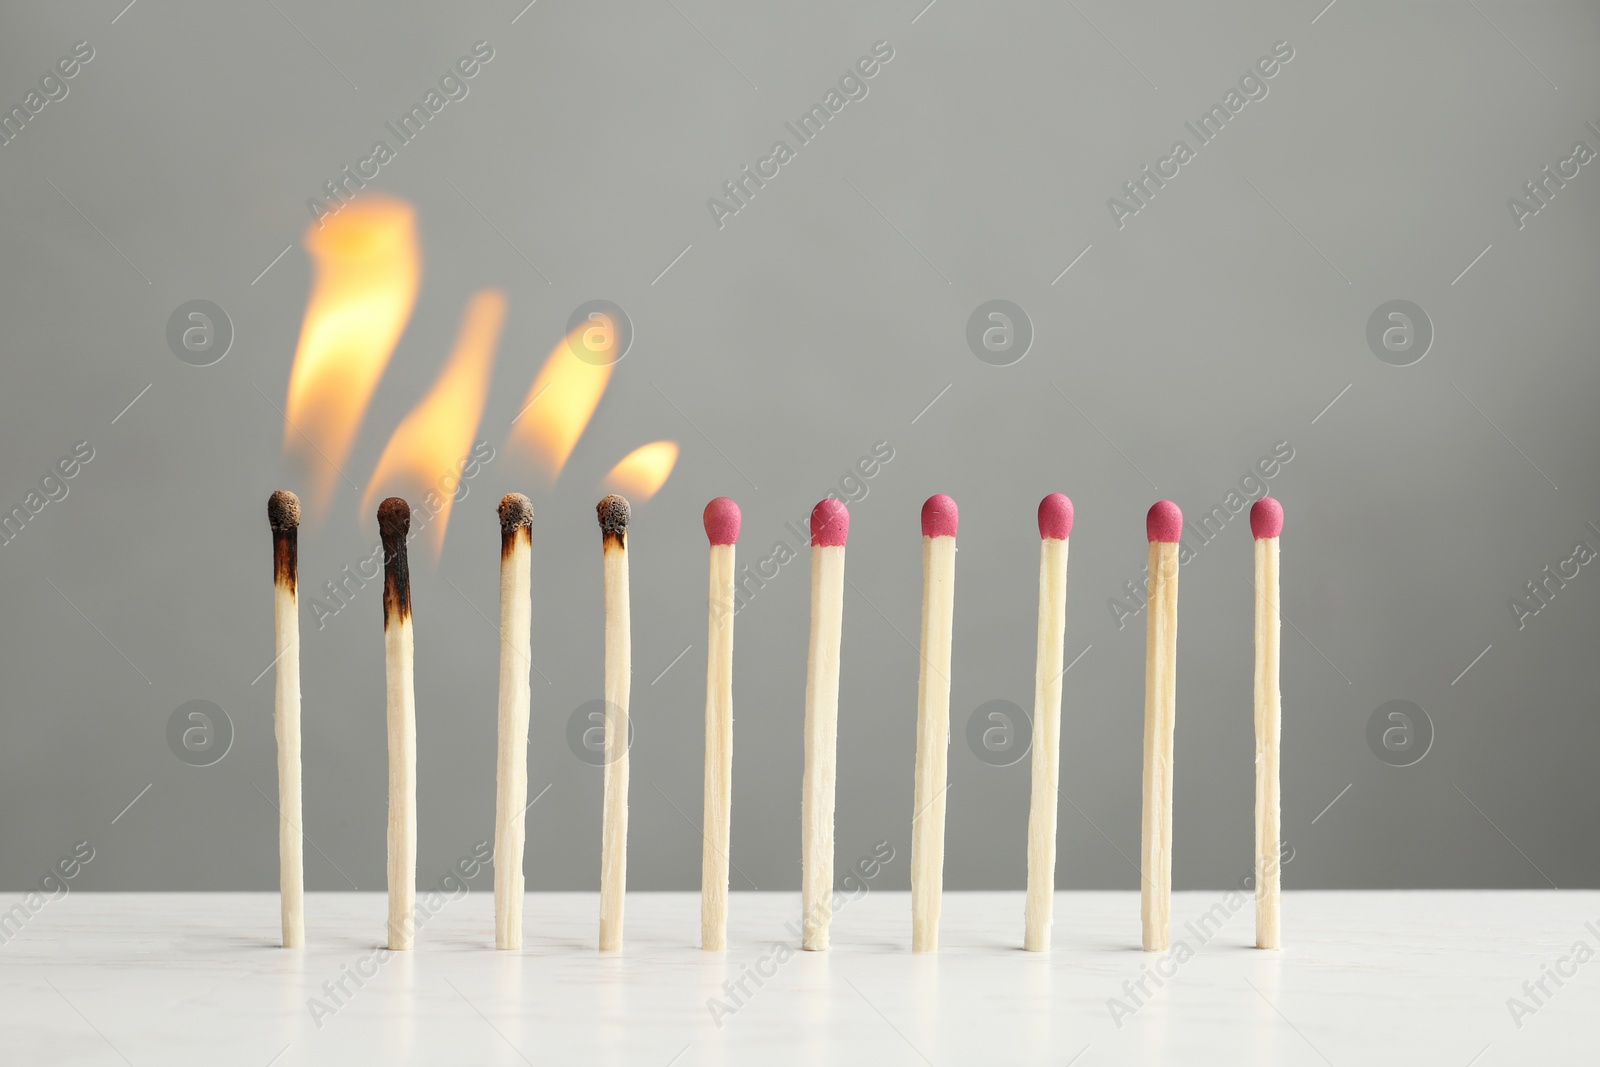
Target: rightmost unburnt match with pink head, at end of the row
x,y
1266,522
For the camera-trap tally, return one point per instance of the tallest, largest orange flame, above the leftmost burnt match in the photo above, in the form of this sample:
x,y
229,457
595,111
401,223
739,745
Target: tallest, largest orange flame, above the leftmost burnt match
x,y
367,270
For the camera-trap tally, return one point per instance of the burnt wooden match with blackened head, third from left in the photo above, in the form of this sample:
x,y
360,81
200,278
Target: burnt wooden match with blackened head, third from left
x,y
511,794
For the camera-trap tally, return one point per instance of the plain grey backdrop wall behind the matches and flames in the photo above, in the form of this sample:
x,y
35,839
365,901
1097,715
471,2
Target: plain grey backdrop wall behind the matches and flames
x,y
825,318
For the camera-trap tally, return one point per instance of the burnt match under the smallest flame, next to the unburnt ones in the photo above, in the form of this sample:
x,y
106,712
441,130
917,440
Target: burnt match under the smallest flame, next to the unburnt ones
x,y
614,514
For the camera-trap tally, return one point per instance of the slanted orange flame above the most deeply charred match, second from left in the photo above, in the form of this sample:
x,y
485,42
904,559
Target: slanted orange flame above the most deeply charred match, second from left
x,y
431,446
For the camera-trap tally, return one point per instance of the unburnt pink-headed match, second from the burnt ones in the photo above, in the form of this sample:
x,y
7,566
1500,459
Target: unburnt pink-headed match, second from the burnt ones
x,y
830,532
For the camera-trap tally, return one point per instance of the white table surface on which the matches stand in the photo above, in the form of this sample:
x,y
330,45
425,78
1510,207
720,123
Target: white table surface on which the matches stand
x,y
1366,978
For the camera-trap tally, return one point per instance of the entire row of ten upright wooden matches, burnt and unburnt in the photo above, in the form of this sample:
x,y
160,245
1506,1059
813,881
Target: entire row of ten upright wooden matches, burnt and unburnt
x,y
830,532
